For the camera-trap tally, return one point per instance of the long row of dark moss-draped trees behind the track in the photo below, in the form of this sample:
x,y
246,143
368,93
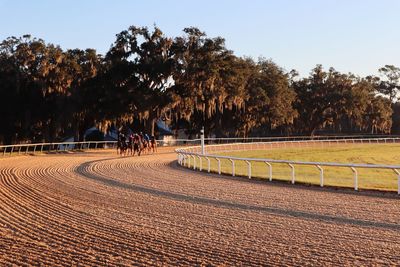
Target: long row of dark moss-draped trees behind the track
x,y
190,81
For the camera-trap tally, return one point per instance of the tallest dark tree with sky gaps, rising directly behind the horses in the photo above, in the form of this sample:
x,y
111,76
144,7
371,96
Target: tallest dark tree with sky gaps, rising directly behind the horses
x,y
146,61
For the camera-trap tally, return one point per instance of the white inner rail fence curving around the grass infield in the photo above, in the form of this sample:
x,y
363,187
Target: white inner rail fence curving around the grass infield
x,y
192,157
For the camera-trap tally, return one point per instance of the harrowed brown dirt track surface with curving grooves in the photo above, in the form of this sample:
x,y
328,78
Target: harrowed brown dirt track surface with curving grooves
x,y
97,208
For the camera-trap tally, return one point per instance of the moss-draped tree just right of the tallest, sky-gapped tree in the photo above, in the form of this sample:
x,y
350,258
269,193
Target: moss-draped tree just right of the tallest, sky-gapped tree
x,y
200,80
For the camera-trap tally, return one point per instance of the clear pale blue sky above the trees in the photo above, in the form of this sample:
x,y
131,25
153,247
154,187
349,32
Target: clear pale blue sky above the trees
x,y
356,36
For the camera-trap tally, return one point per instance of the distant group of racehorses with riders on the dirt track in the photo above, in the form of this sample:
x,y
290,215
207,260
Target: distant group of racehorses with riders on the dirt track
x,y
135,144
